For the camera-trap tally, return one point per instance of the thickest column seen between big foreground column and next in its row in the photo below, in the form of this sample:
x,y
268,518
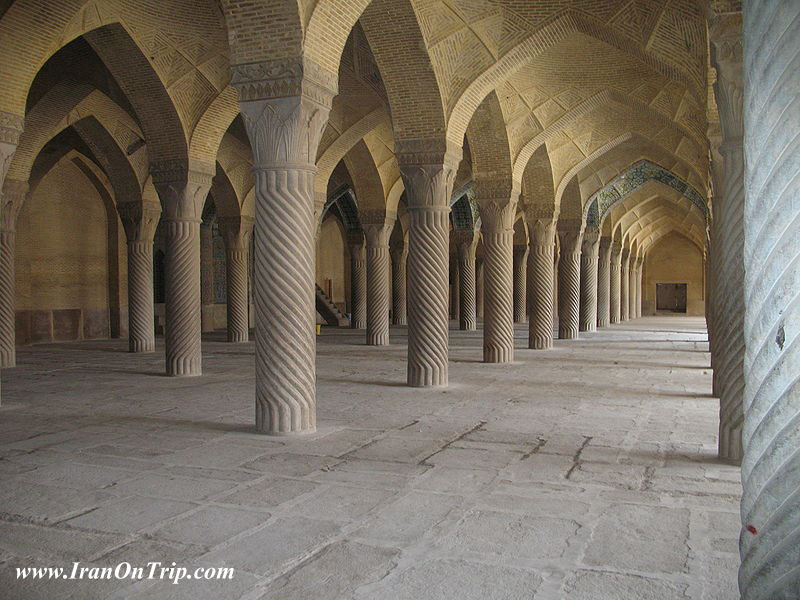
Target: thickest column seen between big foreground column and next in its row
x,y
378,264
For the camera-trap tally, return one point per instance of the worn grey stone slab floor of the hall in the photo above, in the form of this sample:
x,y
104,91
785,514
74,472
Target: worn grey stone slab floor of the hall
x,y
584,472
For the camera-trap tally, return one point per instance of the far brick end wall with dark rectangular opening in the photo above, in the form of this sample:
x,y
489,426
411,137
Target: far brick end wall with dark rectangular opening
x,y
674,259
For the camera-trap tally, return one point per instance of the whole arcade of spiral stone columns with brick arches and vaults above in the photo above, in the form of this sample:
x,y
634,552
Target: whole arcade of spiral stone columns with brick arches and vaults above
x,y
568,172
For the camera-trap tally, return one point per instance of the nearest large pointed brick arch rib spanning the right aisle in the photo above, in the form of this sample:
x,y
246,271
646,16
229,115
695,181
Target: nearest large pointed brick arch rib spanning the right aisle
x,y
552,33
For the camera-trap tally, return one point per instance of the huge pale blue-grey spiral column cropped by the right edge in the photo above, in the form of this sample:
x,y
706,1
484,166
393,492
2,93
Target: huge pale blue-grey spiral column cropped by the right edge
x,y
770,540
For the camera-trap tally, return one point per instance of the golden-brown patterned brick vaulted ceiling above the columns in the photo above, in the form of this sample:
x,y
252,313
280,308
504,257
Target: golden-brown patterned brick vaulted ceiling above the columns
x,y
584,88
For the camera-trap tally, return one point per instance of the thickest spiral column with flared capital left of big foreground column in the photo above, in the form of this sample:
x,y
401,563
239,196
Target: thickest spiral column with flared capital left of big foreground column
x,y
183,192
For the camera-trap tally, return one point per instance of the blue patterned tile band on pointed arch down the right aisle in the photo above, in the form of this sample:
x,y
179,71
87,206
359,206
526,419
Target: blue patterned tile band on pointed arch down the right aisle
x,y
633,178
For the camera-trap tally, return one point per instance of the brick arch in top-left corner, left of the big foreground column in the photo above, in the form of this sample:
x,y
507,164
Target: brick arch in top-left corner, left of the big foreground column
x,y
146,24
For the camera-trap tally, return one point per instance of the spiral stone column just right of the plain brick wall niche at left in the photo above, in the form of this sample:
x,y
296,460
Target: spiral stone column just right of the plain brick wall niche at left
x,y
140,222
